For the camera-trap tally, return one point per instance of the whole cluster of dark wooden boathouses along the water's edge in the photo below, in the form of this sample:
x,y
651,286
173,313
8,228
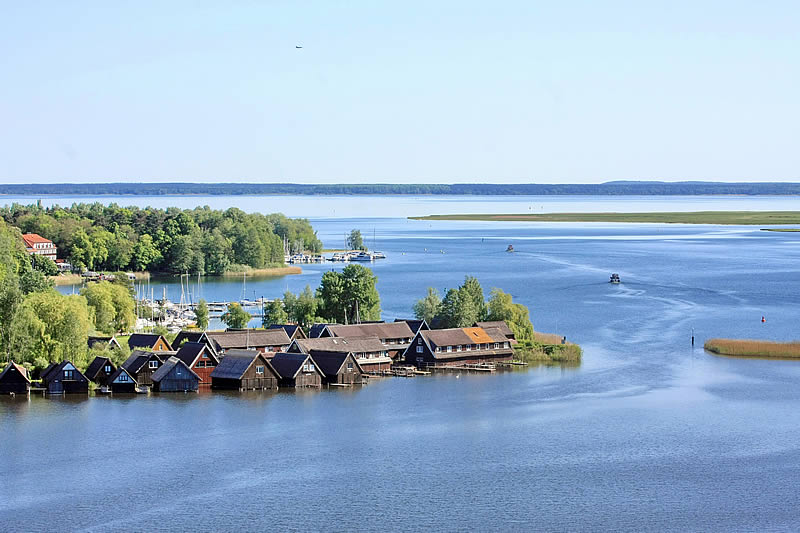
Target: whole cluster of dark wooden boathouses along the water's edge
x,y
282,356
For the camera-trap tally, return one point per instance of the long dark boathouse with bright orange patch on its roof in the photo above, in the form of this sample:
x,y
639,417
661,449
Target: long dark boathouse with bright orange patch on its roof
x,y
458,346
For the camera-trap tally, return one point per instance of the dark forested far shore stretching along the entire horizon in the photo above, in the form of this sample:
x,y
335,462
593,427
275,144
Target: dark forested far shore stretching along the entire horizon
x,y
612,188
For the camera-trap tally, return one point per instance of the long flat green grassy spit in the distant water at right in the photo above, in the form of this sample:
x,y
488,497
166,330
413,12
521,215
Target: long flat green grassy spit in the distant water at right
x,y
695,217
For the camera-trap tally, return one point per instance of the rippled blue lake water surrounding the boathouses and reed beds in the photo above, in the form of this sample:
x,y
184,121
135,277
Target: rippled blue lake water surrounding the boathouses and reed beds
x,y
648,433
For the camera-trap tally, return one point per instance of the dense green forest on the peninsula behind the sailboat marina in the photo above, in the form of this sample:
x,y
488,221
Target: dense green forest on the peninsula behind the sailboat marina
x,y
113,238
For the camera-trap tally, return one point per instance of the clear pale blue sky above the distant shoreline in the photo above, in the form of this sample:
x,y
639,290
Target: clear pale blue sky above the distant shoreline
x,y
434,91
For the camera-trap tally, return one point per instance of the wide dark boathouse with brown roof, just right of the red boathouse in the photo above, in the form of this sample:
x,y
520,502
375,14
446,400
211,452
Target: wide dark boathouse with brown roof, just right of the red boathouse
x,y
244,369
